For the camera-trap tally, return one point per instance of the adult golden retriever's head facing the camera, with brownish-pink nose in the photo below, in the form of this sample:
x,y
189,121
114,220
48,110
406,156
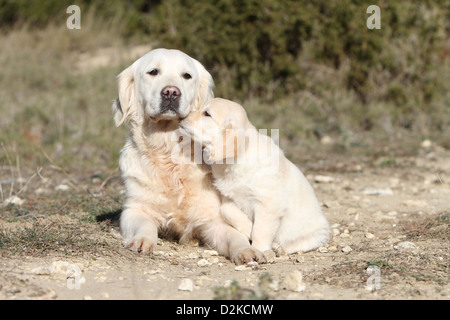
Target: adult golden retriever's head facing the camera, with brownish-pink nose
x,y
162,85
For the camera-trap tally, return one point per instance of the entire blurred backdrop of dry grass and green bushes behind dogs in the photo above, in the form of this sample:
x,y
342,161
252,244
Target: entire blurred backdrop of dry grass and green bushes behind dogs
x,y
310,68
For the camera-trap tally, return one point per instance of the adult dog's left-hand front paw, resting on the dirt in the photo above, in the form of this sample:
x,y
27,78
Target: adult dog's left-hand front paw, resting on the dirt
x,y
139,230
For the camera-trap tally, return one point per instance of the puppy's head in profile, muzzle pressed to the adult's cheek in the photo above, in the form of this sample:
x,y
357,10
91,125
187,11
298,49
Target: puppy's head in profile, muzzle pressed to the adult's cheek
x,y
220,126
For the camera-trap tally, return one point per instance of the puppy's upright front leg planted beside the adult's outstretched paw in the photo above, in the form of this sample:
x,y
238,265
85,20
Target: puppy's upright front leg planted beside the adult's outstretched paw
x,y
265,226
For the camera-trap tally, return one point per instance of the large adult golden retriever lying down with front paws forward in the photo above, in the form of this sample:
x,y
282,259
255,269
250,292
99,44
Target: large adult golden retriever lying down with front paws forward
x,y
165,195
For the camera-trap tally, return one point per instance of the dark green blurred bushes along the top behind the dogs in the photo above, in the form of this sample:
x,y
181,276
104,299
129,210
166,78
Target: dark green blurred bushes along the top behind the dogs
x,y
319,53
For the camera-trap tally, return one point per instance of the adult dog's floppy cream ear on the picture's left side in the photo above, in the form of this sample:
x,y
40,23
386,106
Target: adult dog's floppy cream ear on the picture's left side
x,y
124,106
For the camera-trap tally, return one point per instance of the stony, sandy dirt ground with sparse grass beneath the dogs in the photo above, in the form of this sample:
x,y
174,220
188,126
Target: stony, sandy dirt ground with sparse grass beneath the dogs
x,y
389,217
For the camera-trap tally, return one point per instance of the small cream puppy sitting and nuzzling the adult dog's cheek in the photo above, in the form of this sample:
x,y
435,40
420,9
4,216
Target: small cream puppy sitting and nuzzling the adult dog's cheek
x,y
264,194
